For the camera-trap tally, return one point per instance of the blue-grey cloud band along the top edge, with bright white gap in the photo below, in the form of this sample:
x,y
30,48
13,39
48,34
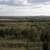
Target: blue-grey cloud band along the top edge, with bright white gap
x,y
23,2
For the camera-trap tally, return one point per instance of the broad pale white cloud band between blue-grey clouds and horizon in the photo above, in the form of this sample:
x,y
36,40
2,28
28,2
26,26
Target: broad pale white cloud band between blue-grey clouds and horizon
x,y
41,9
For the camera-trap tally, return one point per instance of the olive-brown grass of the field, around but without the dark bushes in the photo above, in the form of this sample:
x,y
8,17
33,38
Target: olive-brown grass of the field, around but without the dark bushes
x,y
11,43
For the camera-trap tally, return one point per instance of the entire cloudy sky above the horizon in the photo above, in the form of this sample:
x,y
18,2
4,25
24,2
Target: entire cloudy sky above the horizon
x,y
24,7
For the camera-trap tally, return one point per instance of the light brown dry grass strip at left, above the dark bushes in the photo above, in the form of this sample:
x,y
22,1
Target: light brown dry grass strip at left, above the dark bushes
x,y
17,25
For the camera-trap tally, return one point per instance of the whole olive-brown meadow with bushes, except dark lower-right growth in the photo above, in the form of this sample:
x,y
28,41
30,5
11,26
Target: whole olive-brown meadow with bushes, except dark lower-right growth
x,y
20,35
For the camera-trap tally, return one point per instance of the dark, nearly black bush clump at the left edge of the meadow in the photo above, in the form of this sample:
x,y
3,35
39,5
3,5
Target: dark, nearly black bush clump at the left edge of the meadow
x,y
7,31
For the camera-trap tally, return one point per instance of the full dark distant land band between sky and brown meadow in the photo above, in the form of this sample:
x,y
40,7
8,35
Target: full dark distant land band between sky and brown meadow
x,y
24,18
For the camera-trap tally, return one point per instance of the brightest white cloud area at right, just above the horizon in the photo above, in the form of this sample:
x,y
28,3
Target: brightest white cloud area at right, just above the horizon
x,y
44,9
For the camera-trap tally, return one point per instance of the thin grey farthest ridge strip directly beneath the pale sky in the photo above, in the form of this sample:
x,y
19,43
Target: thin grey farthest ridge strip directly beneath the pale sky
x,y
16,17
